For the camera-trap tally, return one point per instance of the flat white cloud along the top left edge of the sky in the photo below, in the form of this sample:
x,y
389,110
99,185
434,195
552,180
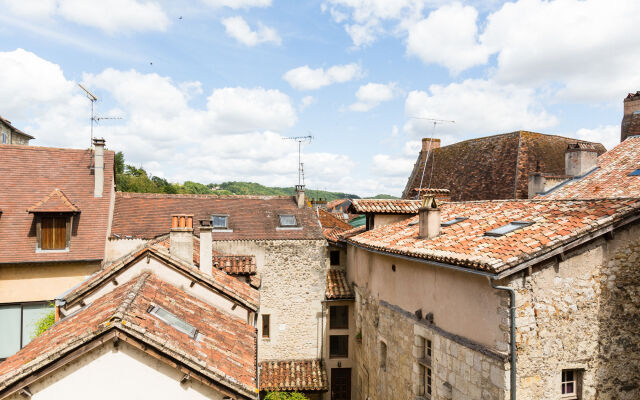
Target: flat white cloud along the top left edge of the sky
x,y
110,16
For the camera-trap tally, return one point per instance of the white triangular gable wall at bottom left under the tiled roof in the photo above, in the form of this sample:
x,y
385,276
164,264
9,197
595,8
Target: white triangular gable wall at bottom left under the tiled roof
x,y
125,373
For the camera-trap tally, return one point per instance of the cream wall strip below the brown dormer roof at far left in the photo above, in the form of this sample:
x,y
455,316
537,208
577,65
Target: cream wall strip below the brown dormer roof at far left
x,y
37,282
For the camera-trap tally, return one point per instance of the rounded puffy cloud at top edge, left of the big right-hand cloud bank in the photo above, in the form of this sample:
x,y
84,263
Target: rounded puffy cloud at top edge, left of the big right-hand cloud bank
x,y
448,36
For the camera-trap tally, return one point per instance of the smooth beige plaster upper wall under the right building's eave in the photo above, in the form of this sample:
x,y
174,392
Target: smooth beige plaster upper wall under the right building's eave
x,y
462,303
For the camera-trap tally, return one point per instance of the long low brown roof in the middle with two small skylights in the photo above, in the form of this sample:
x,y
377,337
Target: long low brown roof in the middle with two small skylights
x,y
148,215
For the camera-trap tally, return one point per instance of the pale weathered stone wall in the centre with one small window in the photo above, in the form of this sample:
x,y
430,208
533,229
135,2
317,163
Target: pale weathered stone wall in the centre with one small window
x,y
294,279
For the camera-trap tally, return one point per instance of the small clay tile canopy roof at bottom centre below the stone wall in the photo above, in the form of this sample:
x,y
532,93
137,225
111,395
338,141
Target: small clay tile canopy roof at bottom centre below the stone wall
x,y
293,375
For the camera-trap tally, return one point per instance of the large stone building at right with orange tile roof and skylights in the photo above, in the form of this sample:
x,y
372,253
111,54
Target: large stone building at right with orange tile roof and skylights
x,y
434,296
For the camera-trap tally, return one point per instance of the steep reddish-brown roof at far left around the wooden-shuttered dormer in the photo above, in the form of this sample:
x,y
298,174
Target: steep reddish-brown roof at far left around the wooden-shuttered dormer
x,y
27,175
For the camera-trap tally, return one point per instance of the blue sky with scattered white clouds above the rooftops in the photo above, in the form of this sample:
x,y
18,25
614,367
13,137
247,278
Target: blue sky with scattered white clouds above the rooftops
x,y
209,90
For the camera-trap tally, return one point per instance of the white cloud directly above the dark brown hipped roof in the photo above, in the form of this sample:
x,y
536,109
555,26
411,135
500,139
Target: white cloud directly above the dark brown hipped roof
x,y
478,107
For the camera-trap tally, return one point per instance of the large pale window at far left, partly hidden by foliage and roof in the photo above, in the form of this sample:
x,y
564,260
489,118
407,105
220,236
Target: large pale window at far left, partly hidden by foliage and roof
x,y
18,325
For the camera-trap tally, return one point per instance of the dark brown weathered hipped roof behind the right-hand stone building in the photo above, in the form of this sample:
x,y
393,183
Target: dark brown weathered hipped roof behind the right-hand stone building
x,y
492,167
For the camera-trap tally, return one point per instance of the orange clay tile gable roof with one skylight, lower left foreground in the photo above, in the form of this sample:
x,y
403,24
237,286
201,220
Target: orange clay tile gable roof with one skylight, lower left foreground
x,y
224,354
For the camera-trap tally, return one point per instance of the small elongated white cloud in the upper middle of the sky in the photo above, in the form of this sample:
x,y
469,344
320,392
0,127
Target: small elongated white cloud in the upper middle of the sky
x,y
306,78
